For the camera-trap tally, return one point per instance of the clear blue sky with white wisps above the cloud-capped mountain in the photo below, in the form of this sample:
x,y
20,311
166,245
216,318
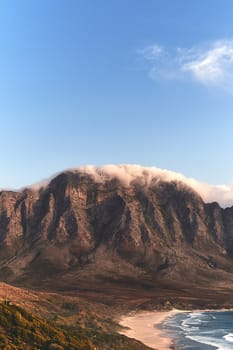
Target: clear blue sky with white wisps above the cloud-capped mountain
x,y
146,82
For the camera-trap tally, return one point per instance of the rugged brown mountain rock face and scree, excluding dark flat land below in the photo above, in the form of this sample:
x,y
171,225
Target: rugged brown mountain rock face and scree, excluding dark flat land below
x,y
75,223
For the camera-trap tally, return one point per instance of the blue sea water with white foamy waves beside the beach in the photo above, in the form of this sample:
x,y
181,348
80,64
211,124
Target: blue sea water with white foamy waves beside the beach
x,y
201,330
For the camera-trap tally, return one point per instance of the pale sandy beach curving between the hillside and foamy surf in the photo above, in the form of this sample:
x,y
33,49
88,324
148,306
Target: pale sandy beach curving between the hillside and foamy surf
x,y
142,326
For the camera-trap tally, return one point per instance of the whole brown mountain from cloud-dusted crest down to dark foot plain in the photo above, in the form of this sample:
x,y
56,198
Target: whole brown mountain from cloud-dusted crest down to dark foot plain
x,y
147,239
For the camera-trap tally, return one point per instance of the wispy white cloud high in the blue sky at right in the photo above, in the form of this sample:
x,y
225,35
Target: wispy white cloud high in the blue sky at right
x,y
211,65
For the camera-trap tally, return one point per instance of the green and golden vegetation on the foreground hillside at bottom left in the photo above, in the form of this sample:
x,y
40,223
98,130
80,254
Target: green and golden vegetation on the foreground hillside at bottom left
x,y
23,331
